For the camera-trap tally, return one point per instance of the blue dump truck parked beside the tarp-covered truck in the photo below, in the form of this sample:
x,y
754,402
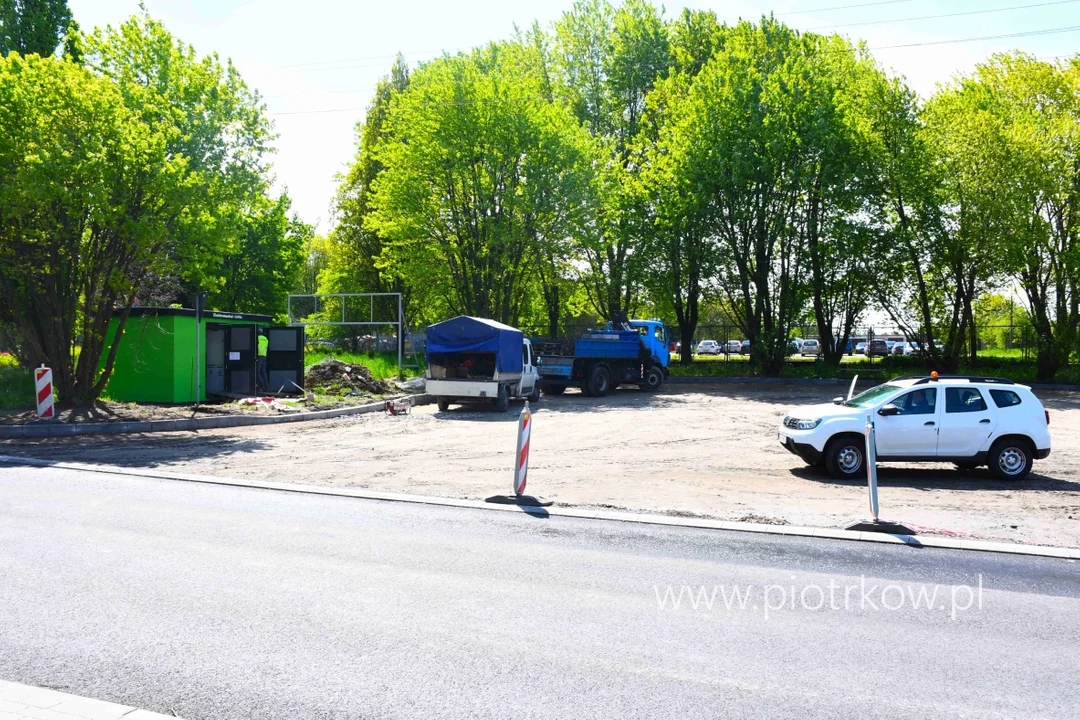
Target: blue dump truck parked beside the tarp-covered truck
x,y
629,352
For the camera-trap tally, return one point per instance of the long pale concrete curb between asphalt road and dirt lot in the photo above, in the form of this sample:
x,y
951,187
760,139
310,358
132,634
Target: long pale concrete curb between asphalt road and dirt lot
x,y
913,541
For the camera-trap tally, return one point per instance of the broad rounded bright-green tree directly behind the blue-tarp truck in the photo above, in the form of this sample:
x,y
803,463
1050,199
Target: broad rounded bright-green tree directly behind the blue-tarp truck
x,y
480,172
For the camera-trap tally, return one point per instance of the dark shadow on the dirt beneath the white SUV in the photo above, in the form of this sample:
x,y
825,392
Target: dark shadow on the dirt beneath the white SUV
x,y
937,479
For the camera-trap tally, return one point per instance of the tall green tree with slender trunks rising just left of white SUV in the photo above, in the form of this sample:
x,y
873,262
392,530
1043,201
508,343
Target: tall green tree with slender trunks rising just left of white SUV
x,y
740,138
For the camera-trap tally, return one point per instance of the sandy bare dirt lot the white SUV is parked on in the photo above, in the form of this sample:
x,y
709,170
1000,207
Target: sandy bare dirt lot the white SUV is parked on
x,y
688,451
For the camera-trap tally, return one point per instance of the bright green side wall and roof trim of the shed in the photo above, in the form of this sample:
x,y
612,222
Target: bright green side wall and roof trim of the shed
x,y
156,361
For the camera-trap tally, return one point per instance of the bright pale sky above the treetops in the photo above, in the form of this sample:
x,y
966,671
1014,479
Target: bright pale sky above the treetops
x,y
317,63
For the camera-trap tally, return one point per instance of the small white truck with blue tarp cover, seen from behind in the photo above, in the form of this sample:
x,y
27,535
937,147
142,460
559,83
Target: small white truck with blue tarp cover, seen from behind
x,y
479,360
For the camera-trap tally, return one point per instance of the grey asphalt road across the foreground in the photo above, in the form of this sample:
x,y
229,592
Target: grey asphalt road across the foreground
x,y
227,603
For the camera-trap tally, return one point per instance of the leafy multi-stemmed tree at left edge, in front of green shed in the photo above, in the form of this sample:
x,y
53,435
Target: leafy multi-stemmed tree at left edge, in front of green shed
x,y
88,197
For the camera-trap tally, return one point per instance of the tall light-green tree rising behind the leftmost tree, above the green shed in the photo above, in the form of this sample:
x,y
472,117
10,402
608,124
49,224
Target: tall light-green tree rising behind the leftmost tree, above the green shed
x,y
209,116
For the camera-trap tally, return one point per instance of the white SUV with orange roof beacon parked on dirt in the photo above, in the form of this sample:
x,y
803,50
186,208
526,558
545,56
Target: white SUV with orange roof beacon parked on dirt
x,y
969,422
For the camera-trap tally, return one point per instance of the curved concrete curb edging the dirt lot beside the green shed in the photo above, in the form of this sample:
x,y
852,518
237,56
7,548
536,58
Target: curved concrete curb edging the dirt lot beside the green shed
x,y
65,430
